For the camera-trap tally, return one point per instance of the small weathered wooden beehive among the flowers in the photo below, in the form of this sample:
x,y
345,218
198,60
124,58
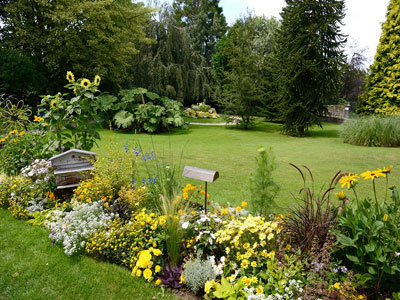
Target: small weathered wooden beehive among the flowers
x,y
71,167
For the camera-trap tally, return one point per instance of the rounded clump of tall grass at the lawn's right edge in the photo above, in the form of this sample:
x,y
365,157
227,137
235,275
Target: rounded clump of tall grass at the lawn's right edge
x,y
372,131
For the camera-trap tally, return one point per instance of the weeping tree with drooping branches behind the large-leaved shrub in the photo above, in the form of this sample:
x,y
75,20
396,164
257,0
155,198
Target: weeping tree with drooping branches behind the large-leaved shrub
x,y
169,66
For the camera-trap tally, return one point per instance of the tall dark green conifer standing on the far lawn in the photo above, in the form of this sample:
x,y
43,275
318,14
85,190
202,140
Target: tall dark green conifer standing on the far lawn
x,y
308,58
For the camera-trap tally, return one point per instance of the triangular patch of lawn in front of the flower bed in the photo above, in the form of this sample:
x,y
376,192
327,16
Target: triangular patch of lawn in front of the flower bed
x,y
31,268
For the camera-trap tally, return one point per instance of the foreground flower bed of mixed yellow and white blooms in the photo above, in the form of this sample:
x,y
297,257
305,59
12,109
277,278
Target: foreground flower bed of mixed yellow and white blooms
x,y
226,253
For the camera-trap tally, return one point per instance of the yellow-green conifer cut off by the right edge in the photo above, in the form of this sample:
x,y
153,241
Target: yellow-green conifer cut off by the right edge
x,y
382,94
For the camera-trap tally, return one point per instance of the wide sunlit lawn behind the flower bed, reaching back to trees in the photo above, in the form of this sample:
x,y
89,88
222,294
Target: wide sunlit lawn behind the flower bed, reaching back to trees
x,y
231,151
